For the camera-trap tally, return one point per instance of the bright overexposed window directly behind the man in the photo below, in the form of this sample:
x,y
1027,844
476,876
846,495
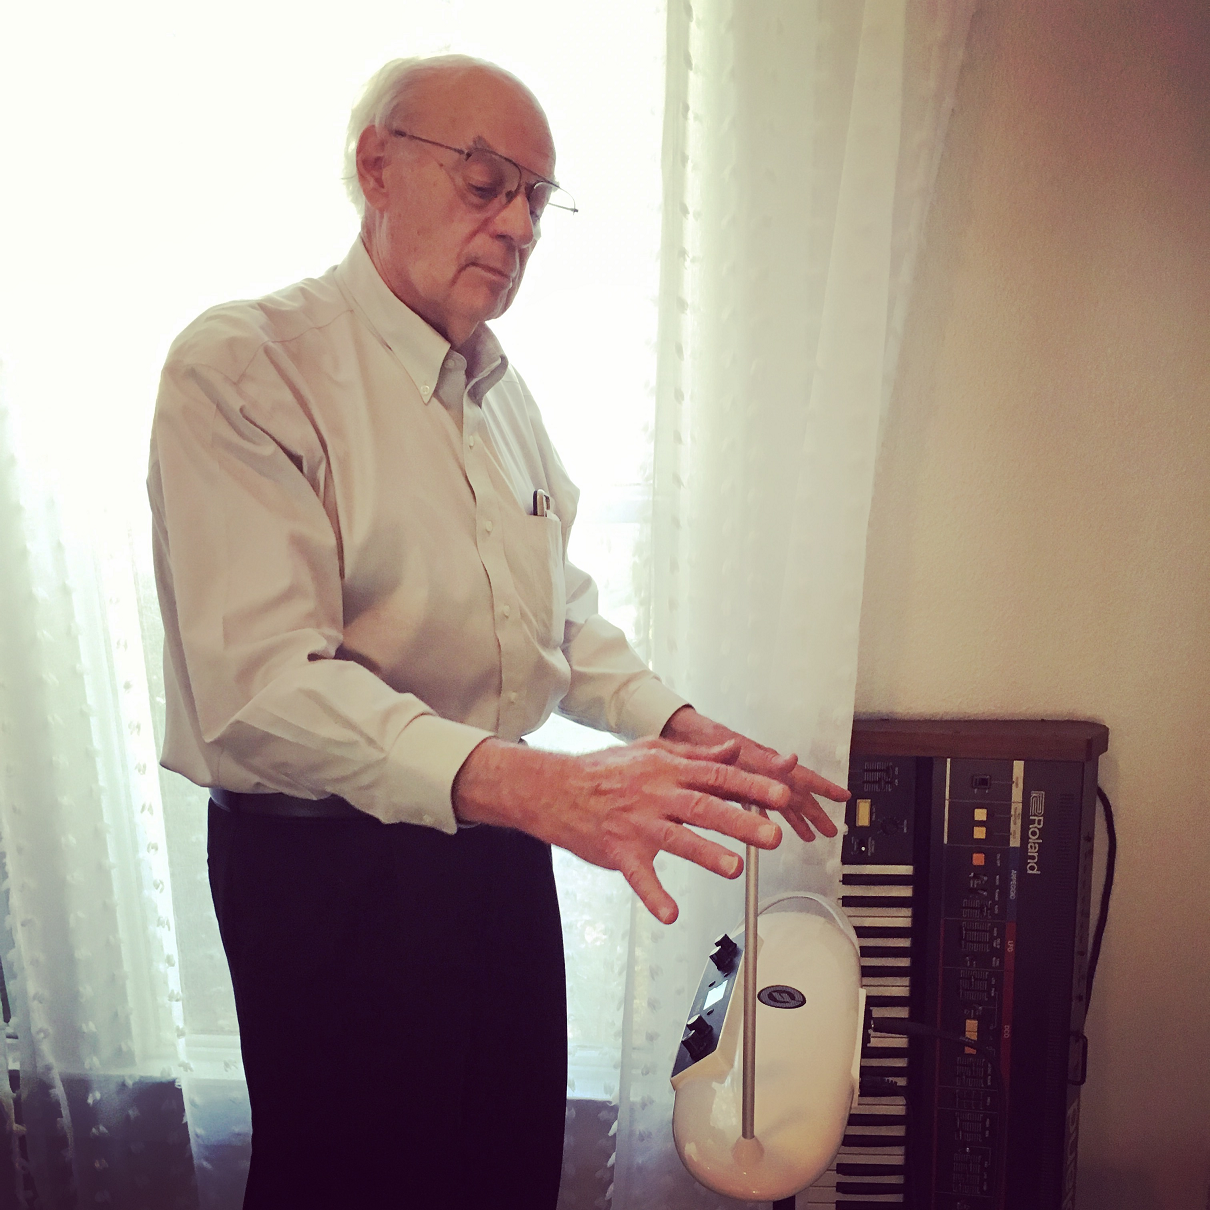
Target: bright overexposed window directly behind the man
x,y
164,159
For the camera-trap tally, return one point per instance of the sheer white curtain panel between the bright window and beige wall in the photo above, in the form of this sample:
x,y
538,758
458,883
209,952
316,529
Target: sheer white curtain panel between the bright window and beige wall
x,y
800,148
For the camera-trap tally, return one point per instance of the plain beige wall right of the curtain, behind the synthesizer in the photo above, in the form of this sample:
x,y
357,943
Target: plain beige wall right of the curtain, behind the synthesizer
x,y
1040,543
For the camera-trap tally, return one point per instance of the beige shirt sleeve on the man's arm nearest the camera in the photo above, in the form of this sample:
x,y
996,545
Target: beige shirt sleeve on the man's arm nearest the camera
x,y
249,563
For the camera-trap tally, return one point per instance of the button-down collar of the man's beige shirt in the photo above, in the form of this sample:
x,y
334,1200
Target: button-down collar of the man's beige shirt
x,y
419,348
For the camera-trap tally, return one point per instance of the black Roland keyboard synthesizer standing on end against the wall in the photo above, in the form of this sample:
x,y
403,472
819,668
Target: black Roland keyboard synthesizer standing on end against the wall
x,y
966,873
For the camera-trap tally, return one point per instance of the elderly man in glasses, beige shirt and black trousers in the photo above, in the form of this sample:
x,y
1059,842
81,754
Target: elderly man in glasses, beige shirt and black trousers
x,y
361,532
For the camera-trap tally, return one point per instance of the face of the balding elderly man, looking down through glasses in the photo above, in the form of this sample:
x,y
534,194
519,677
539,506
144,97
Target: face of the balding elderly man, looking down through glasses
x,y
453,264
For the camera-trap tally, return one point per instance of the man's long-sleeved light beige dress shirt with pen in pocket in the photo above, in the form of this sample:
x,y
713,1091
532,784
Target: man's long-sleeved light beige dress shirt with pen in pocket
x,y
355,589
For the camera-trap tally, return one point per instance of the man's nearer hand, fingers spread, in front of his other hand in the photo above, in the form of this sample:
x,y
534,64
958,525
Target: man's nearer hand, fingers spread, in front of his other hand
x,y
621,806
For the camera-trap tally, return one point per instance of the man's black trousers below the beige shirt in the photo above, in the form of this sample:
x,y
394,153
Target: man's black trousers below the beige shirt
x,y
402,1012
